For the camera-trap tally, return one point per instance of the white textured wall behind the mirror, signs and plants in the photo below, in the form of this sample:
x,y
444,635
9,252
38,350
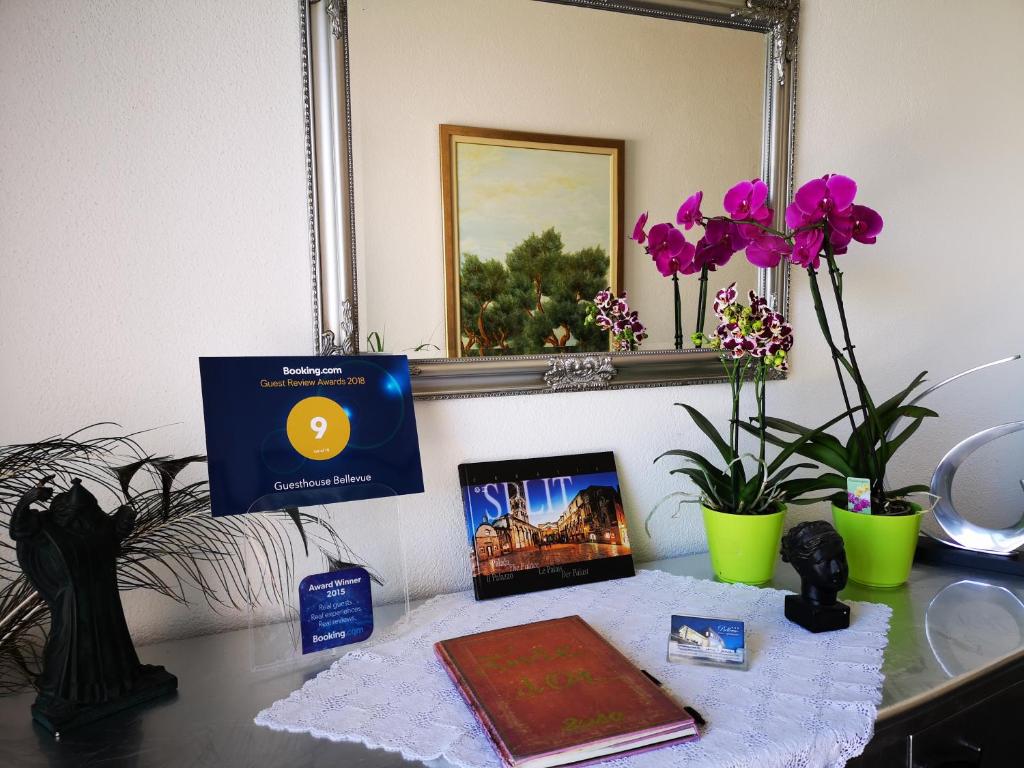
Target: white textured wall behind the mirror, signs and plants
x,y
153,210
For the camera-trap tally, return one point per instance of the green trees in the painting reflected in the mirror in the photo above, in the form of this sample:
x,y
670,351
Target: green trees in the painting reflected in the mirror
x,y
535,302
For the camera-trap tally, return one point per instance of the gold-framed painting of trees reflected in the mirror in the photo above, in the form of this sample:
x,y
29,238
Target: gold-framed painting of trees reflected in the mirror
x,y
533,231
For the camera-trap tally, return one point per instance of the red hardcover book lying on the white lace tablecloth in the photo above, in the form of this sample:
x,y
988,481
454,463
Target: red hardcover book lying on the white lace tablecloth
x,y
557,693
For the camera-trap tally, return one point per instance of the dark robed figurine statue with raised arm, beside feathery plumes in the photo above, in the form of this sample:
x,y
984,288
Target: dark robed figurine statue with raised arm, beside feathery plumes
x,y
69,553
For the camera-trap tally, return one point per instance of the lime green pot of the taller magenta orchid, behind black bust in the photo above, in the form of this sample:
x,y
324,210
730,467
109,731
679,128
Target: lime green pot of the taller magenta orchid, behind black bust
x,y
879,548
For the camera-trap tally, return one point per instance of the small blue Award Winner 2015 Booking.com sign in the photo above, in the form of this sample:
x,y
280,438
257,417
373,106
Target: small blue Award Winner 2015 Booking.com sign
x,y
335,610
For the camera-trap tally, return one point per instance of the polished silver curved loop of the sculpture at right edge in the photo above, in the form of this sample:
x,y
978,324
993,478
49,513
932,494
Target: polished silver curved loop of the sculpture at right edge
x,y
963,532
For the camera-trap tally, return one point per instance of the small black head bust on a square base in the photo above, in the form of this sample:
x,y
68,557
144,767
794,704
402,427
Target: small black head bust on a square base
x,y
817,551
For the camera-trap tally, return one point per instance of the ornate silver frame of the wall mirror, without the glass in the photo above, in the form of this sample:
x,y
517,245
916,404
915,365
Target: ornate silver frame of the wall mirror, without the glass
x,y
332,236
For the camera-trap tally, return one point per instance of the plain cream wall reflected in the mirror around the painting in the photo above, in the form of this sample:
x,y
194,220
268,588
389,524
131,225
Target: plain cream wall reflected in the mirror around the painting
x,y
521,65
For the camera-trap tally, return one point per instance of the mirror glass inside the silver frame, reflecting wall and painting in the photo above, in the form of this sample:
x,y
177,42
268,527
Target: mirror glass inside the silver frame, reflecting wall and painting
x,y
685,103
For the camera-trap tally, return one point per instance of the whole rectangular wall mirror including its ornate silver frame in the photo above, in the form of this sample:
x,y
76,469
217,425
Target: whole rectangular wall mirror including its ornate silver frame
x,y
477,168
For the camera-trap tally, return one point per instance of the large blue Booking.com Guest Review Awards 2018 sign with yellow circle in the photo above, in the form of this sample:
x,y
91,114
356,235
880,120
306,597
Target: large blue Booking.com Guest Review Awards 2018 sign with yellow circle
x,y
304,432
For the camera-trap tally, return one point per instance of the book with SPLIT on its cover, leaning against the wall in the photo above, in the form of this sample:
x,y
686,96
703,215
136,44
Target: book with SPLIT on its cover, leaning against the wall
x,y
540,524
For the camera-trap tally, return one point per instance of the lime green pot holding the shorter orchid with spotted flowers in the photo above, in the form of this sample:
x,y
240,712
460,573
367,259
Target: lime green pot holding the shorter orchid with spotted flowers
x,y
744,548
